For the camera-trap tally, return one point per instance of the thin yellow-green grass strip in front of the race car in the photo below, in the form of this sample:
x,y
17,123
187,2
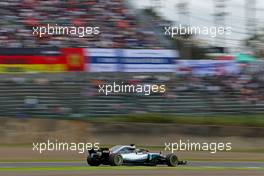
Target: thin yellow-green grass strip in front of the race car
x,y
110,168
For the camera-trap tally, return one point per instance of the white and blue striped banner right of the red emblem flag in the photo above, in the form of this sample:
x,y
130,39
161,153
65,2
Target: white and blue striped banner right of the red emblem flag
x,y
130,60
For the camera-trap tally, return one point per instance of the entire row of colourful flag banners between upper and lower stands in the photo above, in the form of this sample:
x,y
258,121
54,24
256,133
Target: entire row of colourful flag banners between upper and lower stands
x,y
108,60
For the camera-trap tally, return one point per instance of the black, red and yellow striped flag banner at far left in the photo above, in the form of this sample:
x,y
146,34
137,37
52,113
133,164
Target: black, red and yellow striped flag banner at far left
x,y
24,60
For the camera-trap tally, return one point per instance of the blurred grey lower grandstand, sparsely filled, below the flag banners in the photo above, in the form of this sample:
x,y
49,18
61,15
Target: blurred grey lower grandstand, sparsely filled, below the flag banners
x,y
76,95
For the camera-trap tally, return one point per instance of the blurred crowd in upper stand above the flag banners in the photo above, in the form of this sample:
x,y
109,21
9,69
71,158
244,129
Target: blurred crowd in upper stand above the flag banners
x,y
118,24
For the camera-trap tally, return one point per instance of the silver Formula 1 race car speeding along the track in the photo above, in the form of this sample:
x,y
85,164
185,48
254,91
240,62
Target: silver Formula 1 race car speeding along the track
x,y
130,155
